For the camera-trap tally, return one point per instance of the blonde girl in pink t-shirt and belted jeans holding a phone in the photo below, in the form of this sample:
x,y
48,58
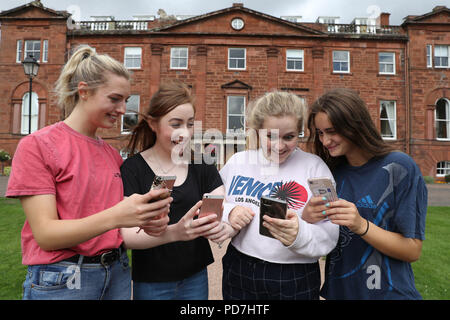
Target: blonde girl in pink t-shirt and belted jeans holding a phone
x,y
69,184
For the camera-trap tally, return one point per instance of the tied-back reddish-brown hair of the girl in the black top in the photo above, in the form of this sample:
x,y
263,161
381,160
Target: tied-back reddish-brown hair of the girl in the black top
x,y
170,95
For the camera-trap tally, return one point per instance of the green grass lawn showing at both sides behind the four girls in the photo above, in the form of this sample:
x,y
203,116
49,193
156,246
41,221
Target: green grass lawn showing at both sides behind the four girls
x,y
432,271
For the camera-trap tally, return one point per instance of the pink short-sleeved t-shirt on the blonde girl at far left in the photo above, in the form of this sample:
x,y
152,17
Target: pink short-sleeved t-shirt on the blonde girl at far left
x,y
84,175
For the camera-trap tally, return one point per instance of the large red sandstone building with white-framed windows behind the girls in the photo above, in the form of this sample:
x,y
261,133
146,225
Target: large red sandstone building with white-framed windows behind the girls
x,y
234,55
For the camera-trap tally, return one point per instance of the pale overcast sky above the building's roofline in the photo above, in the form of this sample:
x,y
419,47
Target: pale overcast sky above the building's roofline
x,y
308,9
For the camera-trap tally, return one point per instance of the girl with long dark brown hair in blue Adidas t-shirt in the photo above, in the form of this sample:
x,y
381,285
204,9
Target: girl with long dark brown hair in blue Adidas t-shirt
x,y
382,205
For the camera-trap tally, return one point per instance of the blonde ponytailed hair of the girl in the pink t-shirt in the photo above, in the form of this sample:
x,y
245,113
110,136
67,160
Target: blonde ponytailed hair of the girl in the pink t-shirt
x,y
87,66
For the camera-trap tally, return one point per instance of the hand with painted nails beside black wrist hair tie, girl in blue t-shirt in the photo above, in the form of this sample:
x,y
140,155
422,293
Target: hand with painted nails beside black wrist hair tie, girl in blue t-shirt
x,y
345,213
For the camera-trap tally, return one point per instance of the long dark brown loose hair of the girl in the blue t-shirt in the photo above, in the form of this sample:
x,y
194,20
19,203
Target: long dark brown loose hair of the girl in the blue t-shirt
x,y
350,118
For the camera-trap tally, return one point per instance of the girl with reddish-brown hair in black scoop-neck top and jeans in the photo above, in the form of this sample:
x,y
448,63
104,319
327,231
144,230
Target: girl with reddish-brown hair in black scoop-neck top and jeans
x,y
172,265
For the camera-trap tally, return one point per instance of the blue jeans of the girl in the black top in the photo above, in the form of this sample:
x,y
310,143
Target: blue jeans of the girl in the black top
x,y
193,288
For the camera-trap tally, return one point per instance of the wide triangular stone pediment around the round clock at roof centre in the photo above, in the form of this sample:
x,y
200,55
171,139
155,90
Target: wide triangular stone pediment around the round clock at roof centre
x,y
255,23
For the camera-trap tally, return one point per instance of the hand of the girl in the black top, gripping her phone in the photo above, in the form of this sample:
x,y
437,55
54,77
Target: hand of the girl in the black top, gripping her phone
x,y
189,228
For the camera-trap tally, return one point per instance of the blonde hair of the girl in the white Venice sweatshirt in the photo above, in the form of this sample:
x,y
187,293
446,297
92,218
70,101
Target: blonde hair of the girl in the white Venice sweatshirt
x,y
273,104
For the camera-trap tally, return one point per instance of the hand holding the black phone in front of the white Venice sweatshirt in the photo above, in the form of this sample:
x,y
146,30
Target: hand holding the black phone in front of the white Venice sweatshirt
x,y
285,230
